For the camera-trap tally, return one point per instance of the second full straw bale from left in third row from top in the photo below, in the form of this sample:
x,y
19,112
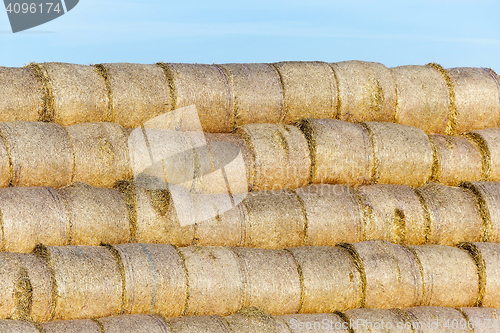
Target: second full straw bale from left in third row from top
x,y
96,215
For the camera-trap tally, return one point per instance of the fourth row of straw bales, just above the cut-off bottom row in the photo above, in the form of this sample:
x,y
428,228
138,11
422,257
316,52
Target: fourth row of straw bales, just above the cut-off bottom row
x,y
82,282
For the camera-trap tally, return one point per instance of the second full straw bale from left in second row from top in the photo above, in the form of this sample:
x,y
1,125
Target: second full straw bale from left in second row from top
x,y
100,153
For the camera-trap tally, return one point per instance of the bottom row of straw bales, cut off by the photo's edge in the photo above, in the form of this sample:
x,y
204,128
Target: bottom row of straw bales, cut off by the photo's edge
x,y
410,320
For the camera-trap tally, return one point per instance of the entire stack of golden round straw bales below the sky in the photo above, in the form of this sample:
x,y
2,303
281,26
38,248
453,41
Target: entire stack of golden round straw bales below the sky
x,y
344,197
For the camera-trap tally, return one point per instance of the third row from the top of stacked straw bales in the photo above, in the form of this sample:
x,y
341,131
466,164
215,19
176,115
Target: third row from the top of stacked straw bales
x,y
316,215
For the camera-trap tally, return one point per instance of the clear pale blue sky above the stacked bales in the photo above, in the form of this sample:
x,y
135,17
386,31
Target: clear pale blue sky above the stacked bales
x,y
452,33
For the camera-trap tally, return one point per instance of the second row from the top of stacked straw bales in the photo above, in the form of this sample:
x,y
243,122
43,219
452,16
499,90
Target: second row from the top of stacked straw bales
x,y
257,157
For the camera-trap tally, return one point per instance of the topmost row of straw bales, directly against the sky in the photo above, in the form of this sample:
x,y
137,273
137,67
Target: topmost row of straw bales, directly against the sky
x,y
434,99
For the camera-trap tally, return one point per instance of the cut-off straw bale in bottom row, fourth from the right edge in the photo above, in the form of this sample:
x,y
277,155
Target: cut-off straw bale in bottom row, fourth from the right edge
x,y
321,323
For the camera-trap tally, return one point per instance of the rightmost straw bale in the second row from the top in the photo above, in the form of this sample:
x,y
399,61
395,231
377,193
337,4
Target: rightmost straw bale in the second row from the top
x,y
489,143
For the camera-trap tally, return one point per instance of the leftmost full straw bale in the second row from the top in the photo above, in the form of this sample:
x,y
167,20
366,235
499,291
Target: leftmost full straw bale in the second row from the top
x,y
40,153
